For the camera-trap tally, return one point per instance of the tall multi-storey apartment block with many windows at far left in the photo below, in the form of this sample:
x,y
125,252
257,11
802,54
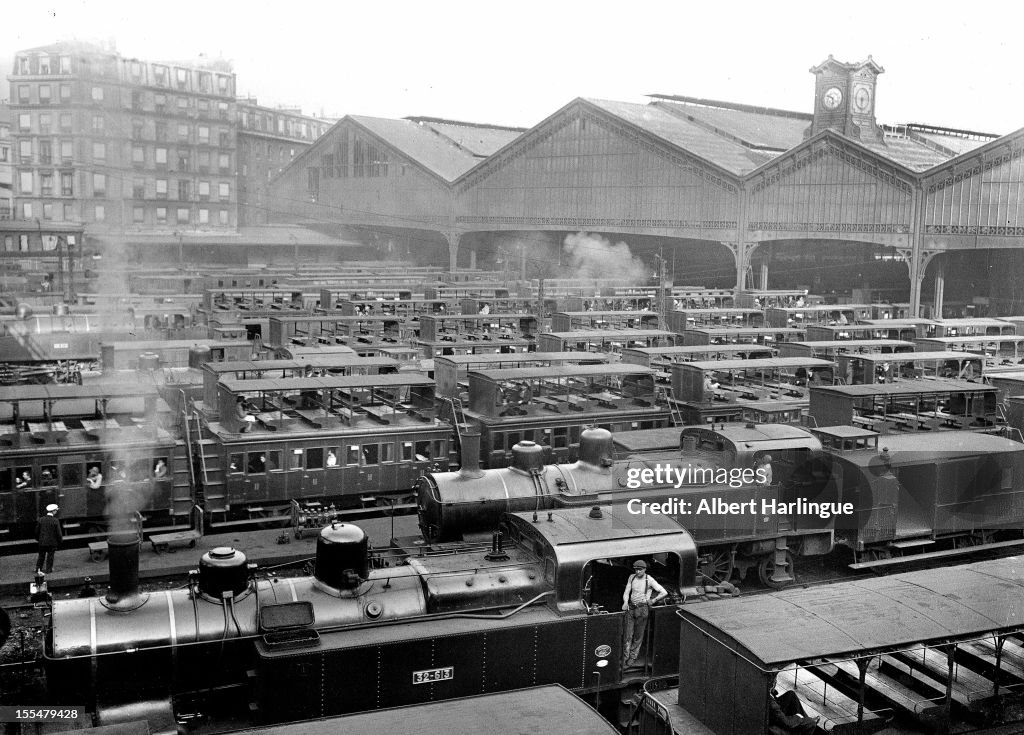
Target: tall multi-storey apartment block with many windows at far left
x,y
121,145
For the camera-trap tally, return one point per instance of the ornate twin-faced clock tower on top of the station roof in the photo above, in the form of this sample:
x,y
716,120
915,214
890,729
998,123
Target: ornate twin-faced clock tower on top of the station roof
x,y
844,99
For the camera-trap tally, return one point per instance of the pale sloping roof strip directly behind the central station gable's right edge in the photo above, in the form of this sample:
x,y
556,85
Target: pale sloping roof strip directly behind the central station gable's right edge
x,y
685,135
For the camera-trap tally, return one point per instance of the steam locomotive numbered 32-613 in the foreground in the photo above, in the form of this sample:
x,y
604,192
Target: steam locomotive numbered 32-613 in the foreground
x,y
418,624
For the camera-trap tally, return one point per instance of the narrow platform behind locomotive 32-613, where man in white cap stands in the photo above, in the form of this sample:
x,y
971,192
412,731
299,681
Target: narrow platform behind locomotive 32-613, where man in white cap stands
x,y
73,566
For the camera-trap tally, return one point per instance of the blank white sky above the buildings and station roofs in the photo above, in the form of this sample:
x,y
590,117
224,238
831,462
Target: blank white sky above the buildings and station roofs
x,y
516,64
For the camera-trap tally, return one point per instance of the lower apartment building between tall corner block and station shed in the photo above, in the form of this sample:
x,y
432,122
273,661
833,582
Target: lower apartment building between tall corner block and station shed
x,y
269,141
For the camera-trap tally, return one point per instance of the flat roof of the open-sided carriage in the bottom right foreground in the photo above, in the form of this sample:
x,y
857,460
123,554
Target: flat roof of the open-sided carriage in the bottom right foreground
x,y
874,615
